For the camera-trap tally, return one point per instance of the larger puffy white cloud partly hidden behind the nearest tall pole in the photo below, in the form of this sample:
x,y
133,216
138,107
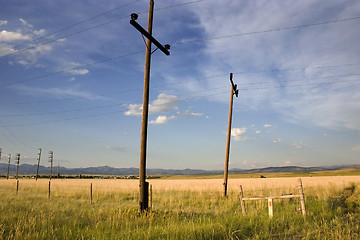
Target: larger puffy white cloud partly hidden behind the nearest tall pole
x,y
162,104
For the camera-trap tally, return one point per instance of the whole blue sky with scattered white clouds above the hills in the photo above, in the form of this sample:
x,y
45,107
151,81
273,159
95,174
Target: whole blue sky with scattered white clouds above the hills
x,y
71,81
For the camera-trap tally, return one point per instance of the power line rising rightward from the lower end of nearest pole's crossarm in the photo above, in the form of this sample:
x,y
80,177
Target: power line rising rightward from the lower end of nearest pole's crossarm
x,y
266,31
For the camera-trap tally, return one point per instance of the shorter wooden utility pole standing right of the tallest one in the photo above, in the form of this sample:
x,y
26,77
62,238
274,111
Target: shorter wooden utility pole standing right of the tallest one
x,y
234,91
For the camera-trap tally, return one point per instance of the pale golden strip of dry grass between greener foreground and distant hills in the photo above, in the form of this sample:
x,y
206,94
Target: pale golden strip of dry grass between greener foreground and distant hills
x,y
332,183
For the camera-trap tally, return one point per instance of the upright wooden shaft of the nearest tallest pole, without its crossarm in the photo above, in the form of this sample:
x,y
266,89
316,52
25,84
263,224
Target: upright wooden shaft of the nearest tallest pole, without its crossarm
x,y
144,189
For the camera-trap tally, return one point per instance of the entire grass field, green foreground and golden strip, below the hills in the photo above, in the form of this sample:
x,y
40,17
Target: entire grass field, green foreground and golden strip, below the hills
x,y
182,209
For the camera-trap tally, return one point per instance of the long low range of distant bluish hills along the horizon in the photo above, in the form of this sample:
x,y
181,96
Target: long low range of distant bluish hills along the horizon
x,y
27,169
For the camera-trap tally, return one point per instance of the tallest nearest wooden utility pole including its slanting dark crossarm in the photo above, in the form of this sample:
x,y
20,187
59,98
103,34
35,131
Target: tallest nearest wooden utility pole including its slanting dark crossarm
x,y
144,186
